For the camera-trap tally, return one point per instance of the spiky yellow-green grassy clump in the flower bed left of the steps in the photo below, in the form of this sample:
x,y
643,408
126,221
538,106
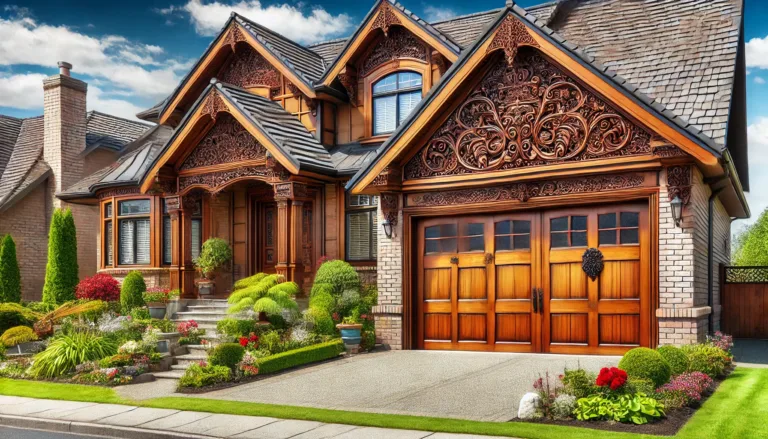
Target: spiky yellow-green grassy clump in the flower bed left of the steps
x,y
68,350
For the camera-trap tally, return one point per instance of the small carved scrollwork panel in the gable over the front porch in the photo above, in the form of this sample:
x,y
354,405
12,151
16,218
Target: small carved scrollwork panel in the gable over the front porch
x,y
226,142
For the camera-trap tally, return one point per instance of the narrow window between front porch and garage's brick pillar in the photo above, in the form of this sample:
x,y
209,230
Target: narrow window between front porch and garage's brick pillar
x,y
361,227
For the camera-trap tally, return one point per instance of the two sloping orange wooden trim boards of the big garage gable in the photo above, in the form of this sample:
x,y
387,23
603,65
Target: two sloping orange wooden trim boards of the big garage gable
x,y
451,88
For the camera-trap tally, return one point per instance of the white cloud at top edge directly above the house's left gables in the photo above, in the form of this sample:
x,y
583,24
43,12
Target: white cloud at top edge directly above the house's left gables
x,y
294,22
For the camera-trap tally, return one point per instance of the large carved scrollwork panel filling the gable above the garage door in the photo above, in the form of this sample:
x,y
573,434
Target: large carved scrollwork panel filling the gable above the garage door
x,y
526,113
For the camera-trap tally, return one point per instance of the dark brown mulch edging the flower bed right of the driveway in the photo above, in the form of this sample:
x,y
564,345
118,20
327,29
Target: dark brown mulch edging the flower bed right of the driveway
x,y
667,426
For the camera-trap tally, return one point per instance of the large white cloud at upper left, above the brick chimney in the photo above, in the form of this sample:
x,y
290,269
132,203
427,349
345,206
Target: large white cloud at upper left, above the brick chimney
x,y
138,68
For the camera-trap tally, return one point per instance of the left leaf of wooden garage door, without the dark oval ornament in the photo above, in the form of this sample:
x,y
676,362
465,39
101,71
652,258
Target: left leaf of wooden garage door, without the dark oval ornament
x,y
474,283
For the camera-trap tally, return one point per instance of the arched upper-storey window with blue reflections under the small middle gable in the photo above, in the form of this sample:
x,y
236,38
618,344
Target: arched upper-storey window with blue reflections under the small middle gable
x,y
394,96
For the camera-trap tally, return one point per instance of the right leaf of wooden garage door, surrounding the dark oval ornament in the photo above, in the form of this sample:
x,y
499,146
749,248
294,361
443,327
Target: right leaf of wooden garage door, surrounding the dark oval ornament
x,y
606,315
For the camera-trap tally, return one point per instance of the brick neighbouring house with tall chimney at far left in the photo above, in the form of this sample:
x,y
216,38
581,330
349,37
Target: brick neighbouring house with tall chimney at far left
x,y
39,156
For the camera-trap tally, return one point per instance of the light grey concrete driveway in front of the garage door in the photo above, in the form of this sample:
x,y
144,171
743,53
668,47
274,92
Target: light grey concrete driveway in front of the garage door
x,y
467,385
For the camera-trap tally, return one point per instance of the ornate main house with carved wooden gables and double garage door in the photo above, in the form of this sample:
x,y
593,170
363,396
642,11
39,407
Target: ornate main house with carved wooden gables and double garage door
x,y
557,179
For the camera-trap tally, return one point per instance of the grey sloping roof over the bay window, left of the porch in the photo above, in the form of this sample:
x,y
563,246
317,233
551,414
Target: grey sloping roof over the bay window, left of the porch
x,y
128,169
